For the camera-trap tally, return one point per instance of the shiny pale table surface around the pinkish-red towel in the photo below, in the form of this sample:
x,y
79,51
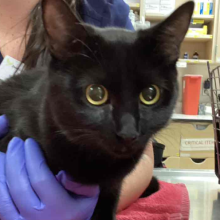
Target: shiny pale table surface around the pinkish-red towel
x,y
203,188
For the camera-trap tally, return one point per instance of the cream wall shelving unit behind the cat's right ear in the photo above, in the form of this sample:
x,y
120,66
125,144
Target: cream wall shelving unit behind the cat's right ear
x,y
205,45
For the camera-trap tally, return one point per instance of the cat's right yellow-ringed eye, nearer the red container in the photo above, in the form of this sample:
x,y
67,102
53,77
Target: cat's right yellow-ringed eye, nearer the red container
x,y
150,95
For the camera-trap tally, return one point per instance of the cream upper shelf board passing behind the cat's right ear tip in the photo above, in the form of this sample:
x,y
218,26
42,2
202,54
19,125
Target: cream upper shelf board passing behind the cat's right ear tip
x,y
160,17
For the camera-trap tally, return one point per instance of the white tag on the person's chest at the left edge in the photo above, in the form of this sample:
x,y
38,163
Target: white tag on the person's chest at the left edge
x,y
9,67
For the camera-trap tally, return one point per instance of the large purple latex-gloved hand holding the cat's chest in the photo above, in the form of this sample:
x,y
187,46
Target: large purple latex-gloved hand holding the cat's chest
x,y
29,190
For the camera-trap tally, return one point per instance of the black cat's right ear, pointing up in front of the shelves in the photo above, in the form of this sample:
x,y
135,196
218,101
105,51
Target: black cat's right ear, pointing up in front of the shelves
x,y
171,32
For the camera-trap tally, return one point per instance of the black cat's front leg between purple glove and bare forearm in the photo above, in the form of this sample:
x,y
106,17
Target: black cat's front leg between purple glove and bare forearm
x,y
108,201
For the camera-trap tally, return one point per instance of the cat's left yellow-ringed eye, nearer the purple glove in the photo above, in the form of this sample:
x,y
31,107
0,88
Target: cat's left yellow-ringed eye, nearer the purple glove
x,y
96,94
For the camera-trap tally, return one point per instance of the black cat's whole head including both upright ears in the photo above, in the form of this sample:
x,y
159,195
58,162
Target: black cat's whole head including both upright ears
x,y
111,89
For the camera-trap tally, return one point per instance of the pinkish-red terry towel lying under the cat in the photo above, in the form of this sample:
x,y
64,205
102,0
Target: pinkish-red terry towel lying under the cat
x,y
171,202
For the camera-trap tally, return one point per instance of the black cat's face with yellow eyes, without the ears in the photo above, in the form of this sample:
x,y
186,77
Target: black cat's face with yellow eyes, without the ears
x,y
119,94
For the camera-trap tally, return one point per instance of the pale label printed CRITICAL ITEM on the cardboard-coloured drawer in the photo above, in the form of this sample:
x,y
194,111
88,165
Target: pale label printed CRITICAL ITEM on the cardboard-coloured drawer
x,y
199,144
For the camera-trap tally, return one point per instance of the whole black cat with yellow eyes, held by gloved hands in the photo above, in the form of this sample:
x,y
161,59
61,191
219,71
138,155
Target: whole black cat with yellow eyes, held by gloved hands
x,y
103,95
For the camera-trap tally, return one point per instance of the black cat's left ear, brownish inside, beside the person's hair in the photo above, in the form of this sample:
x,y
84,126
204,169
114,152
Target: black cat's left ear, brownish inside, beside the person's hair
x,y
62,27
